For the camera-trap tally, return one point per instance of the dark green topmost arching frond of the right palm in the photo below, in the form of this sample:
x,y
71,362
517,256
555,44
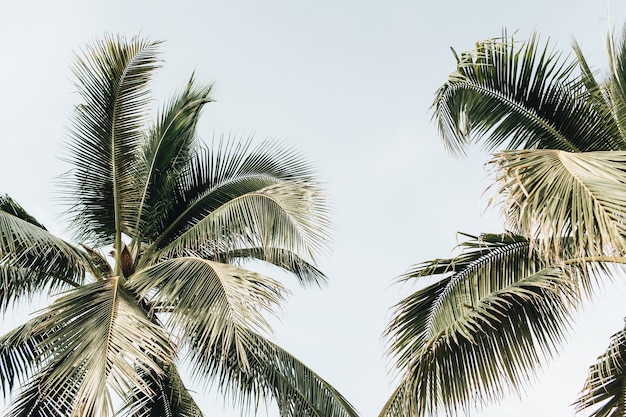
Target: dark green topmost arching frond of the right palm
x,y
520,96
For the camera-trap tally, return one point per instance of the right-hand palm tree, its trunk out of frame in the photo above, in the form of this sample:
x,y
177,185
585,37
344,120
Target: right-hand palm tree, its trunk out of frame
x,y
486,319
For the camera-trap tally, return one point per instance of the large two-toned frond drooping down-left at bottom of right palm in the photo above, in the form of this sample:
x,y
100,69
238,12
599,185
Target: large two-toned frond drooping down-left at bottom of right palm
x,y
482,328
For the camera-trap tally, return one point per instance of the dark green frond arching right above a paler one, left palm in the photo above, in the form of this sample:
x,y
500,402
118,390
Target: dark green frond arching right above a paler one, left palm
x,y
230,172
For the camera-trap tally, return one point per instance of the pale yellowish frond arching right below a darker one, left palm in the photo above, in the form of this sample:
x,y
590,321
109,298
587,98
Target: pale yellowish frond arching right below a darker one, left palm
x,y
288,215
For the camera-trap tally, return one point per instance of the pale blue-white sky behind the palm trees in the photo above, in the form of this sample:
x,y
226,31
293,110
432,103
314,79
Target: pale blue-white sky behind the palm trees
x,y
350,83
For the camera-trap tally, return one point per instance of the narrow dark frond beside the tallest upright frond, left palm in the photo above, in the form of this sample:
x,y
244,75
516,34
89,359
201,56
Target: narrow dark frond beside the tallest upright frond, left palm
x,y
170,145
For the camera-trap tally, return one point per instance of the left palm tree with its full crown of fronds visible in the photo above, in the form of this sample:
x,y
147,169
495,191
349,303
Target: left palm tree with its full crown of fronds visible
x,y
182,222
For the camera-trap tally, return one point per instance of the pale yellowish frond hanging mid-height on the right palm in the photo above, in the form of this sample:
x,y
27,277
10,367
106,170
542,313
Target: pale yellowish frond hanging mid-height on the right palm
x,y
554,194
